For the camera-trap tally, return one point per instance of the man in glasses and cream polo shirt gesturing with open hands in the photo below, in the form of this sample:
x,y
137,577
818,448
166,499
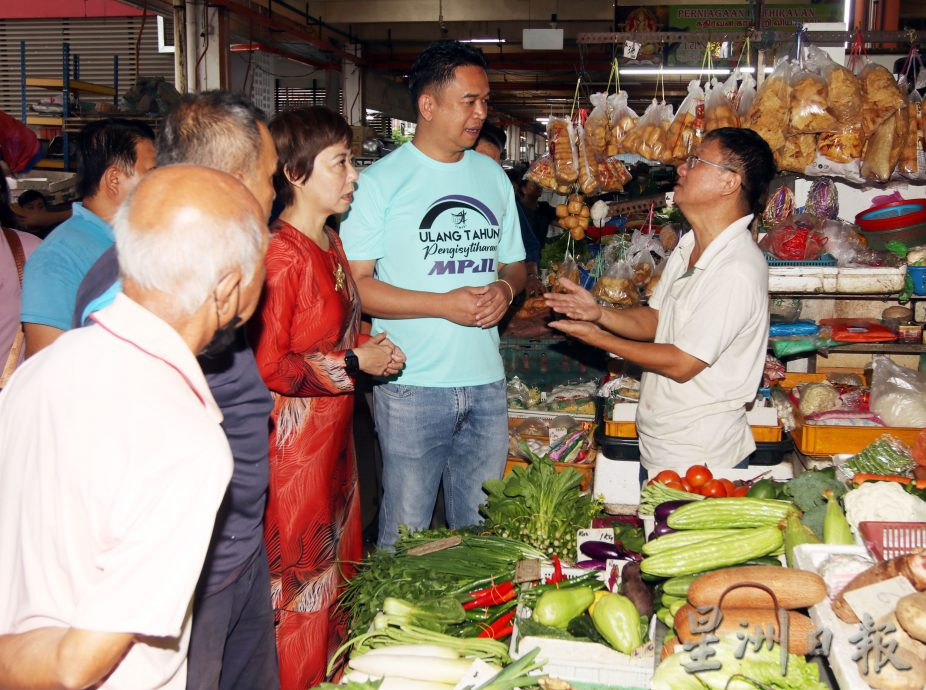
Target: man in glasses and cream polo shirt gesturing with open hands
x,y
702,339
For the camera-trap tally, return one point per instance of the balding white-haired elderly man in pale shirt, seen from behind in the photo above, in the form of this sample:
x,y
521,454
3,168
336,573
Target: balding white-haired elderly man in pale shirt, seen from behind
x,y
112,459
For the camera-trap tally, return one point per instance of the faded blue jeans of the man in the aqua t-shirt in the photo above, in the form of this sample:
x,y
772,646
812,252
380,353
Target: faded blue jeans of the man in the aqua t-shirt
x,y
458,435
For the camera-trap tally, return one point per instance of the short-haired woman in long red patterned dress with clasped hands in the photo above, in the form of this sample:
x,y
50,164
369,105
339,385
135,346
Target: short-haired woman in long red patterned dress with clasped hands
x,y
308,349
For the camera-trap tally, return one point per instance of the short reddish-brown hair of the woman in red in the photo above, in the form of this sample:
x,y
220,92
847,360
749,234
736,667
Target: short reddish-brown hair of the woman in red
x,y
300,135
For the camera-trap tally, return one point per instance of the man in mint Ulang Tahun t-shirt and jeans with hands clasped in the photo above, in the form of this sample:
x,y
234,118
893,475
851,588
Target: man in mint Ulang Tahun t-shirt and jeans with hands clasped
x,y
435,248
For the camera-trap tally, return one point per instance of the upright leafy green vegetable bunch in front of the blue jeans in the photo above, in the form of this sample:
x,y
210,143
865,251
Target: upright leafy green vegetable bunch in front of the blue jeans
x,y
540,506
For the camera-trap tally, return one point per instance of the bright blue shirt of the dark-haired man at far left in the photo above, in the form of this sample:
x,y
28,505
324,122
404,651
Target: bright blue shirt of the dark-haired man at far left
x,y
54,271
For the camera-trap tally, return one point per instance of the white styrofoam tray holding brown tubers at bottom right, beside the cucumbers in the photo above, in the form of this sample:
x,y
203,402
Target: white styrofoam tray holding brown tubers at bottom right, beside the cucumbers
x,y
810,557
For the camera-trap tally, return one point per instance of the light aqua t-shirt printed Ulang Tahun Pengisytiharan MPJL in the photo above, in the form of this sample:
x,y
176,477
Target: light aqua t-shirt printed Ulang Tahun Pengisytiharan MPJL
x,y
434,227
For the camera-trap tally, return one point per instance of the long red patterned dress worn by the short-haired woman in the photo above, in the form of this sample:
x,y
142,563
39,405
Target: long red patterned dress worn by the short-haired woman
x,y
310,315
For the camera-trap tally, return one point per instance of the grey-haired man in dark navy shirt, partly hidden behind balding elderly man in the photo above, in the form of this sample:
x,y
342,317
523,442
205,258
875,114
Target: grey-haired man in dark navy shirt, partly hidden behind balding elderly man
x,y
232,641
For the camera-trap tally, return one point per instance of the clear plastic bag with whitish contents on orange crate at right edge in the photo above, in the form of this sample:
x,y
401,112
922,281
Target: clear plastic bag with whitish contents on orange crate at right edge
x,y
898,394
